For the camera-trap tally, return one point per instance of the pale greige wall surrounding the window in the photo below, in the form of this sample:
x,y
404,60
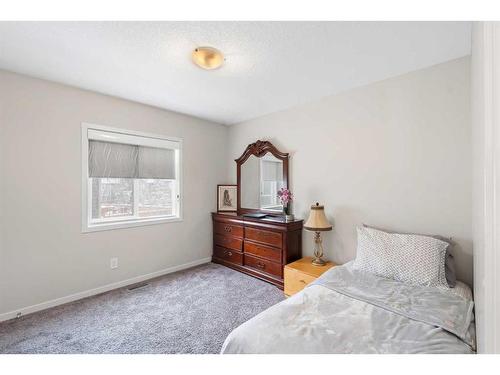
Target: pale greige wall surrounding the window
x,y
43,254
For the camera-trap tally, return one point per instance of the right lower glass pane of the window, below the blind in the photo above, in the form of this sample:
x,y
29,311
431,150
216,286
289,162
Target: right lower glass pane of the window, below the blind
x,y
155,197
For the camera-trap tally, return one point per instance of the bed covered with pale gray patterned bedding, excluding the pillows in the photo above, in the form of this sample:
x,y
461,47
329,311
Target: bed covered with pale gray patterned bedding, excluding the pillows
x,y
351,311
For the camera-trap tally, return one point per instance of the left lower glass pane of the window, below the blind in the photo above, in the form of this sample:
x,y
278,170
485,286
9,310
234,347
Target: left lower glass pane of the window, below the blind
x,y
112,197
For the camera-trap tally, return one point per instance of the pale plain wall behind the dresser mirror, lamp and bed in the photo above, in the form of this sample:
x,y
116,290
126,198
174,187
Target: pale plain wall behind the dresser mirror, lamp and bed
x,y
396,154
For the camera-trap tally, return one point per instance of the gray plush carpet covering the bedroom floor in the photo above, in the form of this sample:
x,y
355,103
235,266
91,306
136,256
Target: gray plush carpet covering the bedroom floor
x,y
190,311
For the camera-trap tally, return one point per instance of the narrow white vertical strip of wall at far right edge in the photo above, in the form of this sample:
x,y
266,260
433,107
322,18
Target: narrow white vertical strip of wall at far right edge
x,y
486,214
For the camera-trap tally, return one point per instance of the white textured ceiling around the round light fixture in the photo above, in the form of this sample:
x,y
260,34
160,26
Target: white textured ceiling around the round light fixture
x,y
270,66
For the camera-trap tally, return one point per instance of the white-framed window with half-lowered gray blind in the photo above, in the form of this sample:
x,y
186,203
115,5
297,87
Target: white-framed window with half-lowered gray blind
x,y
129,178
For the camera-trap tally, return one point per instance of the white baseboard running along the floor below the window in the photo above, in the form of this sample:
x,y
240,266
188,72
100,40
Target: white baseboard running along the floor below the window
x,y
101,289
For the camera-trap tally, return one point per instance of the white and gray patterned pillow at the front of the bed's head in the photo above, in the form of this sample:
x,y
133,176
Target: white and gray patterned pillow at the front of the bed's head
x,y
410,258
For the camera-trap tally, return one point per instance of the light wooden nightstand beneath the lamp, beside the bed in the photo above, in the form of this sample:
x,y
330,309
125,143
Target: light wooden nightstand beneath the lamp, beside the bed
x,y
301,272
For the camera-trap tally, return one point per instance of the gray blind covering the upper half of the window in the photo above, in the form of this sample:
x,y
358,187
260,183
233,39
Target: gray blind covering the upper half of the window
x,y
120,160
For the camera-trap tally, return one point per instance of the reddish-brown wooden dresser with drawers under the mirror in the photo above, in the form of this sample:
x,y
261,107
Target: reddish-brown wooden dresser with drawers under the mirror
x,y
257,247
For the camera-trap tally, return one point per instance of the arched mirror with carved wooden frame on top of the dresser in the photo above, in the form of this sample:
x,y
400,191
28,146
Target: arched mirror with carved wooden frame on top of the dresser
x,y
261,171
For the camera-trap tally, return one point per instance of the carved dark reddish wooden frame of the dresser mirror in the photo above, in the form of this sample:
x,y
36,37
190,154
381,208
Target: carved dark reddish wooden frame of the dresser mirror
x,y
259,149
